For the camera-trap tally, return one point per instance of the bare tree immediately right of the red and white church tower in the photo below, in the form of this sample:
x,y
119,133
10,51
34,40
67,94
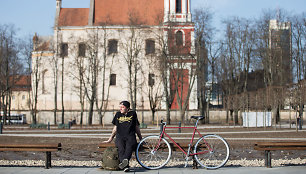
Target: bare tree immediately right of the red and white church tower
x,y
207,52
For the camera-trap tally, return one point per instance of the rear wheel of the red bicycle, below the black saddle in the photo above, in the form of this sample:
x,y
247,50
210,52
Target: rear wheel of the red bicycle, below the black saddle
x,y
212,151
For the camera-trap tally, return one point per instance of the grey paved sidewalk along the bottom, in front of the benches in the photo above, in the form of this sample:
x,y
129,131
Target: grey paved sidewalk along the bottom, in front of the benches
x,y
95,170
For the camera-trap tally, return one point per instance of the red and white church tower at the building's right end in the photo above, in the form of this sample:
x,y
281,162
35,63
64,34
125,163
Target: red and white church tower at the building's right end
x,y
179,32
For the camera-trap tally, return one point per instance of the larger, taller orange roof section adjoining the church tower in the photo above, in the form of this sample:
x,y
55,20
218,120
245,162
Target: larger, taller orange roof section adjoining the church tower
x,y
126,12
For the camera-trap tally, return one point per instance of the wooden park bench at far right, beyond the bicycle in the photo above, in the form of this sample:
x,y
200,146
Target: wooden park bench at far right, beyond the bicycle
x,y
267,147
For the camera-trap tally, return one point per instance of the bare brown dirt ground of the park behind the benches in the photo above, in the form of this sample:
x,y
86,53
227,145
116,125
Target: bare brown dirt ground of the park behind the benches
x,y
85,149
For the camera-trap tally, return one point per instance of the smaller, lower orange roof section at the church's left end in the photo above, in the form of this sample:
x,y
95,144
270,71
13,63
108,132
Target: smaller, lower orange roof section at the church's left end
x,y
73,17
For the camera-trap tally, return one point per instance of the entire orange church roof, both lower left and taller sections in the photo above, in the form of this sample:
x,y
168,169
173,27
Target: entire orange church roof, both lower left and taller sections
x,y
115,12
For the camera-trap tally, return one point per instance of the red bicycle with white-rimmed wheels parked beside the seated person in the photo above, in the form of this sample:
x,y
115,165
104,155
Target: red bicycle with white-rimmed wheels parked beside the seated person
x,y
210,151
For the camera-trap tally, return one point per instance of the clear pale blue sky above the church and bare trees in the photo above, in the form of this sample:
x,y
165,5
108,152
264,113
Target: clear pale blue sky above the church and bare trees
x,y
30,16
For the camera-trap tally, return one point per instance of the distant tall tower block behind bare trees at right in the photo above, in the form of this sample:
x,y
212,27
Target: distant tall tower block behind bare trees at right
x,y
280,45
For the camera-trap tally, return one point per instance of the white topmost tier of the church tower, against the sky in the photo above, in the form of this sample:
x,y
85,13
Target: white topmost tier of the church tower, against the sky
x,y
177,11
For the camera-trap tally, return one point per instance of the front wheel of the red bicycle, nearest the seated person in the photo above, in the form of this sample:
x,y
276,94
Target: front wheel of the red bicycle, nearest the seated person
x,y
153,152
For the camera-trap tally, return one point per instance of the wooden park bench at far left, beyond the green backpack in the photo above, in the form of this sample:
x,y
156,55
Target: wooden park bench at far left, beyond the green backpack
x,y
48,148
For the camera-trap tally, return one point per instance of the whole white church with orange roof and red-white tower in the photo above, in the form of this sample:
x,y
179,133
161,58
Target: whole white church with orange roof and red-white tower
x,y
113,51
